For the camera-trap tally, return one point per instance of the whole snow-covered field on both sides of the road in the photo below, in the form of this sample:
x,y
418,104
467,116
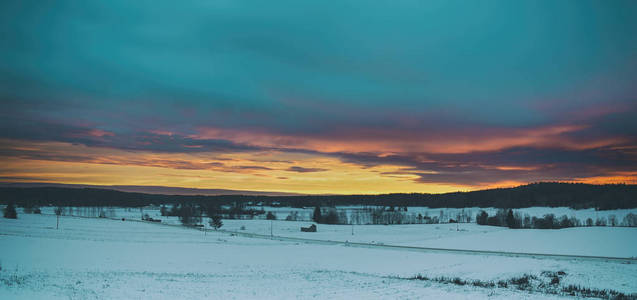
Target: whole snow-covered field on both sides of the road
x,y
89,258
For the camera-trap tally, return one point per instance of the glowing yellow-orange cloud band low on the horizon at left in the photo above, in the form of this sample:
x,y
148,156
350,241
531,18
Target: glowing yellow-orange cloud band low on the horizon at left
x,y
262,171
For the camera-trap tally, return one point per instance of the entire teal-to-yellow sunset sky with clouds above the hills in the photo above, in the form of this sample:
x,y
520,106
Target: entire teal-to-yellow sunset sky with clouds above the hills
x,y
346,97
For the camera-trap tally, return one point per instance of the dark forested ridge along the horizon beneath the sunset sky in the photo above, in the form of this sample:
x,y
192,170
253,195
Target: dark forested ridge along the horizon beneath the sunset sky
x,y
578,196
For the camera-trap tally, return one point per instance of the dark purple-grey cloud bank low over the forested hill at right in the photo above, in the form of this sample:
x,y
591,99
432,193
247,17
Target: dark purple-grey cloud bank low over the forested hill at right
x,y
521,164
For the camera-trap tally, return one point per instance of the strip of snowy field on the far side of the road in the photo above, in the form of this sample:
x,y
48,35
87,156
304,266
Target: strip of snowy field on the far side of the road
x,y
593,241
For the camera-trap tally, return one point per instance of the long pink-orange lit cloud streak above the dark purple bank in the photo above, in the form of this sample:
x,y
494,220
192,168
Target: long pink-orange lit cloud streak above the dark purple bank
x,y
385,142
